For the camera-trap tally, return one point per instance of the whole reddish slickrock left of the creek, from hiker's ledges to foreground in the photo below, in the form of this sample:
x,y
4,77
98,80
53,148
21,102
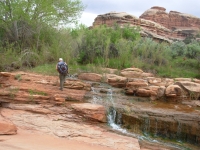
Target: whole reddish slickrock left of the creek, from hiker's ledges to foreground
x,y
45,119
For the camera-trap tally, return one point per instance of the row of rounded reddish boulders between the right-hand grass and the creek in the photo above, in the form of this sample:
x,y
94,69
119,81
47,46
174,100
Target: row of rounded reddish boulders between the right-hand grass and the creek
x,y
135,83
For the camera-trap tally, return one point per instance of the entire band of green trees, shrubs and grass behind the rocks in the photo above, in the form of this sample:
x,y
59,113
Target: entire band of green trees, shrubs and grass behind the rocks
x,y
30,38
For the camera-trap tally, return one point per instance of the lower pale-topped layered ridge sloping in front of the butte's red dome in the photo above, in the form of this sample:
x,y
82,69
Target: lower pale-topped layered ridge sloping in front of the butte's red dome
x,y
149,28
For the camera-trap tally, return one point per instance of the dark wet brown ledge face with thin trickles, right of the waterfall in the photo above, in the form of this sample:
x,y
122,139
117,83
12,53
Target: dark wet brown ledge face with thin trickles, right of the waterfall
x,y
165,123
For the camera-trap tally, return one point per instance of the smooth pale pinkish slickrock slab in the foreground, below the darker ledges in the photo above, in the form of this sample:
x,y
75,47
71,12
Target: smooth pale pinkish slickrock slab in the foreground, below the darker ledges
x,y
61,131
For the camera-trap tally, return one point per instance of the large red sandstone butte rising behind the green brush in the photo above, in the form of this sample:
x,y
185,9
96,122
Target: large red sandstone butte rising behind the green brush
x,y
155,22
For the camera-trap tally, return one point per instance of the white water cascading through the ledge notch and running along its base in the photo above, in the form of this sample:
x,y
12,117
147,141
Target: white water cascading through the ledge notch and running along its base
x,y
114,118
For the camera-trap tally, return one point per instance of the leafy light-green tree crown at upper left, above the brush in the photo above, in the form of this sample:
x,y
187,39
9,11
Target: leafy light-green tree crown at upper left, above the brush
x,y
21,21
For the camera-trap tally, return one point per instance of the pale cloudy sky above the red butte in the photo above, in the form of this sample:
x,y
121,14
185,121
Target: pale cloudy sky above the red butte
x,y
135,7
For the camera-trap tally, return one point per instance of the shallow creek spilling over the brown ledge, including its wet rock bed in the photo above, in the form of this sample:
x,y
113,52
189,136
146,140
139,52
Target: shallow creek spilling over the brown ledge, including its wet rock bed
x,y
156,124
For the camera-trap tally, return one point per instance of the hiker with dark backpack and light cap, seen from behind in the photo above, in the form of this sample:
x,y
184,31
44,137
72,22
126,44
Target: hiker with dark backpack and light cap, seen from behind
x,y
62,69
